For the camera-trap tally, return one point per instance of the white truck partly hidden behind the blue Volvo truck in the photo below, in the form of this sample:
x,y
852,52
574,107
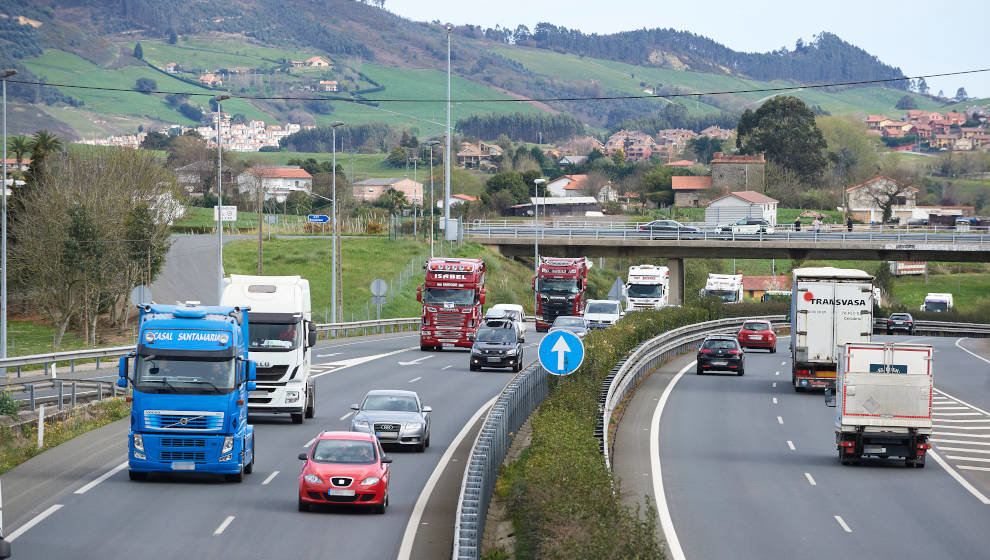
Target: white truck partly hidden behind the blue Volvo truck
x,y
281,335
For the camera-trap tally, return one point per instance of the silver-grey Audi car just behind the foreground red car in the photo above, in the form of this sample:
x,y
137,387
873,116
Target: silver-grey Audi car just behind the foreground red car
x,y
395,417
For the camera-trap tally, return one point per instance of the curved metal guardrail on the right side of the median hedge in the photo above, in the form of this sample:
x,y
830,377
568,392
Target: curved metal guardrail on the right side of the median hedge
x,y
648,355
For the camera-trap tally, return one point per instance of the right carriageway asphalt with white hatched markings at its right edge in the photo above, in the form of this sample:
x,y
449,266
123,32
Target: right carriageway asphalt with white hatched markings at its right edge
x,y
748,468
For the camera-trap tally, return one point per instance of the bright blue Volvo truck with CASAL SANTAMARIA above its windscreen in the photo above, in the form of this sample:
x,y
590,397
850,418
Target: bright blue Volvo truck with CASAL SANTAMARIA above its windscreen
x,y
191,377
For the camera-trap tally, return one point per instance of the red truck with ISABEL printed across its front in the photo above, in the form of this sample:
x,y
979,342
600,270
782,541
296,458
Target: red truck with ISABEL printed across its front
x,y
452,295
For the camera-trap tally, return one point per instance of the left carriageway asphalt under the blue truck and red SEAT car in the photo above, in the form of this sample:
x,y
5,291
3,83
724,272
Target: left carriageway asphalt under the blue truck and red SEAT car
x,y
172,517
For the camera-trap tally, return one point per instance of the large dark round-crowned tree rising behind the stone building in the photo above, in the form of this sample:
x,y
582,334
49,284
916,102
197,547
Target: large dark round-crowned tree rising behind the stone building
x,y
784,128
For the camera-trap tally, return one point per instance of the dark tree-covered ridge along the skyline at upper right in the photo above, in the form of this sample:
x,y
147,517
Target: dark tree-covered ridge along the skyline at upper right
x,y
826,58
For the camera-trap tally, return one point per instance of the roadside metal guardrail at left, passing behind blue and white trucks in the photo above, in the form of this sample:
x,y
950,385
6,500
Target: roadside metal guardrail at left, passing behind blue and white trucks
x,y
71,356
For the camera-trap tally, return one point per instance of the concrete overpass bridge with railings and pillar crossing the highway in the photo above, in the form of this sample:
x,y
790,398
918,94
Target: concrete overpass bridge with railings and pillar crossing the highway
x,y
627,240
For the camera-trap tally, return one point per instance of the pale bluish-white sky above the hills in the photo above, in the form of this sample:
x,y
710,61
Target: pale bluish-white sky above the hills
x,y
920,37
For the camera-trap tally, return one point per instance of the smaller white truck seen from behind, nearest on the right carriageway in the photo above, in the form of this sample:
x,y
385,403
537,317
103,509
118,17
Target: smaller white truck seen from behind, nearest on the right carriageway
x,y
883,402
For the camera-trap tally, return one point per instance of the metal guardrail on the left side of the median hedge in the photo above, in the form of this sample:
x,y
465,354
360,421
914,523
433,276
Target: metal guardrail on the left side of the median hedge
x,y
514,405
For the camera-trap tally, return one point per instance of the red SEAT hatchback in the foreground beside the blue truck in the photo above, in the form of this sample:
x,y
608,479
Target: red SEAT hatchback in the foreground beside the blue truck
x,y
345,468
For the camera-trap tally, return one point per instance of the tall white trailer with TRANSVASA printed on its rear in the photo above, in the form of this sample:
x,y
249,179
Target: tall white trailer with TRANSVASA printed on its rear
x,y
829,307
